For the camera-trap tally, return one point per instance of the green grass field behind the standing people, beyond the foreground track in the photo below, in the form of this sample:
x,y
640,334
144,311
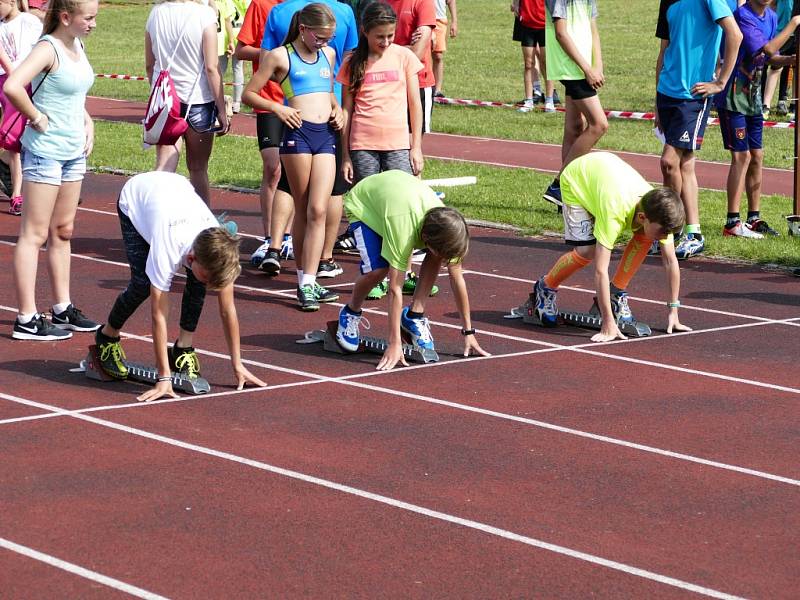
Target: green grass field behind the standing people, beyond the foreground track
x,y
482,63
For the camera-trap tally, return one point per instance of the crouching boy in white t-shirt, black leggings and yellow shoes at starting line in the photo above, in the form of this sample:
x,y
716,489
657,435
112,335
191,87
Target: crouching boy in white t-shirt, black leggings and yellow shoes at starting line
x,y
165,226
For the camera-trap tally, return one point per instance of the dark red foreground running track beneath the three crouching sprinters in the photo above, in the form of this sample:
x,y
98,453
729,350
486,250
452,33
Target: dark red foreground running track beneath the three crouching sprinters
x,y
555,468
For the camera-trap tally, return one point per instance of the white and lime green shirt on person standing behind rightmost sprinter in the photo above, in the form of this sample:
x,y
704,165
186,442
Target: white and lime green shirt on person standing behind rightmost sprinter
x,y
578,14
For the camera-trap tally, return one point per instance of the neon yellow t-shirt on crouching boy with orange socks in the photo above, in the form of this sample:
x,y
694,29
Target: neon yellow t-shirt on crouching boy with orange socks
x,y
608,188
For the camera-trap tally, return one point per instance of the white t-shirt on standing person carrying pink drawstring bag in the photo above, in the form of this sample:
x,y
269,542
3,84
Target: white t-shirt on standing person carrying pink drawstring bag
x,y
178,27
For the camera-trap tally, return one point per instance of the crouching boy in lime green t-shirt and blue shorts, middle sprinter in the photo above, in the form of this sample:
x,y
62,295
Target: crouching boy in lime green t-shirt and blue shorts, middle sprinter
x,y
392,214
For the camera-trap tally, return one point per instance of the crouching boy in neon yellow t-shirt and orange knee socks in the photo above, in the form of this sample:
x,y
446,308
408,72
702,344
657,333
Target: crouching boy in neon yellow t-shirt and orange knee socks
x,y
603,197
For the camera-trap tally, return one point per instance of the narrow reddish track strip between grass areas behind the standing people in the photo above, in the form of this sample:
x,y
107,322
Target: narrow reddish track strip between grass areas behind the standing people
x,y
506,153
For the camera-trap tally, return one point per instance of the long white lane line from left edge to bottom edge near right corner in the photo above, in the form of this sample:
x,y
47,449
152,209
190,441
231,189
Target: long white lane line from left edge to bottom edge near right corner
x,y
388,501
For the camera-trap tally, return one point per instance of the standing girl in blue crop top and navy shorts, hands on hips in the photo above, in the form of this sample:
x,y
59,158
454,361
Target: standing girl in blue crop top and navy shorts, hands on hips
x,y
311,114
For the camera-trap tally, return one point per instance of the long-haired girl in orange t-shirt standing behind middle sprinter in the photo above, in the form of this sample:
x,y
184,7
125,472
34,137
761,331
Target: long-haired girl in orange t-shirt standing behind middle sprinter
x,y
380,96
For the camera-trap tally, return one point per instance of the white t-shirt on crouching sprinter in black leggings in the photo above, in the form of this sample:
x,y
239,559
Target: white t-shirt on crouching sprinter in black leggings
x,y
168,214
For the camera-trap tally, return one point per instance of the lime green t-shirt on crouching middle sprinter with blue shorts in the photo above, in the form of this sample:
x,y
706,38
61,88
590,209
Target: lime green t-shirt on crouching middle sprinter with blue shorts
x,y
392,204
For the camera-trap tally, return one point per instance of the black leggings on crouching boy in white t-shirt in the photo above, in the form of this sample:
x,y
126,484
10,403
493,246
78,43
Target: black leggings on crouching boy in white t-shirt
x,y
138,290
